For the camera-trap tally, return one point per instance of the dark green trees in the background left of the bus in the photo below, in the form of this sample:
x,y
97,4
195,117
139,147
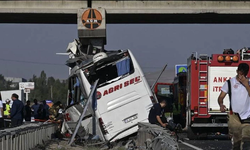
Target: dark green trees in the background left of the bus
x,y
46,88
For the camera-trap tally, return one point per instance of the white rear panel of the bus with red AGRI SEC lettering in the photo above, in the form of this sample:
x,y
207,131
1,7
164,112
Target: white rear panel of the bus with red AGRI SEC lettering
x,y
124,103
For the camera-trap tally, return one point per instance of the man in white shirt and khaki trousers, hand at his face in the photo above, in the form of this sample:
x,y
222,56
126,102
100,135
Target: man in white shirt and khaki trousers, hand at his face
x,y
239,115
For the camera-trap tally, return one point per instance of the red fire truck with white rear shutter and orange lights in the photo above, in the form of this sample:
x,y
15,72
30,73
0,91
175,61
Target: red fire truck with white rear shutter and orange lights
x,y
205,77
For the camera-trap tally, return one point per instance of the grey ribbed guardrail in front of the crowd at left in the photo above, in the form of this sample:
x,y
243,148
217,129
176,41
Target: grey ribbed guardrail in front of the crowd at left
x,y
26,136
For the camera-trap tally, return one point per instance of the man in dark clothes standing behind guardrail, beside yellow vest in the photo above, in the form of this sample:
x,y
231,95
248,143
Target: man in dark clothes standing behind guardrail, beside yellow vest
x,y
16,112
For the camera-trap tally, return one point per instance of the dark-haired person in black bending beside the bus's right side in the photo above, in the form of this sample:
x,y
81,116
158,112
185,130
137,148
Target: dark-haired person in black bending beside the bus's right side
x,y
156,114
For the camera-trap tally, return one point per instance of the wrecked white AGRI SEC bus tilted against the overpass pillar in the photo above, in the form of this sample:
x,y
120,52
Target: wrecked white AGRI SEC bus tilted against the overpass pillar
x,y
123,95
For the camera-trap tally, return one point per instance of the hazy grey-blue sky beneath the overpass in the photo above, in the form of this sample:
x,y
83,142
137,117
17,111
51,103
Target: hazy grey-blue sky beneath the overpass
x,y
27,49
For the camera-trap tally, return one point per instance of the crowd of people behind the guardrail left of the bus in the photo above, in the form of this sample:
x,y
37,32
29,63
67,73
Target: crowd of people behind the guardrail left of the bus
x,y
18,113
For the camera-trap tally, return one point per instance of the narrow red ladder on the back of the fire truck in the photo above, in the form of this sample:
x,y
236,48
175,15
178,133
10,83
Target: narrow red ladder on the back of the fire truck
x,y
203,79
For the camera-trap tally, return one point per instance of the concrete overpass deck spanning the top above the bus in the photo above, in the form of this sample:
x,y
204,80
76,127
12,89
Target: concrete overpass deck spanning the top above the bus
x,y
126,11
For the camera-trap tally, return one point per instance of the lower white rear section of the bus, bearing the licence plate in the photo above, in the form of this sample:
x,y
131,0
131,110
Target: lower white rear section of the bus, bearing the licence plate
x,y
126,116
